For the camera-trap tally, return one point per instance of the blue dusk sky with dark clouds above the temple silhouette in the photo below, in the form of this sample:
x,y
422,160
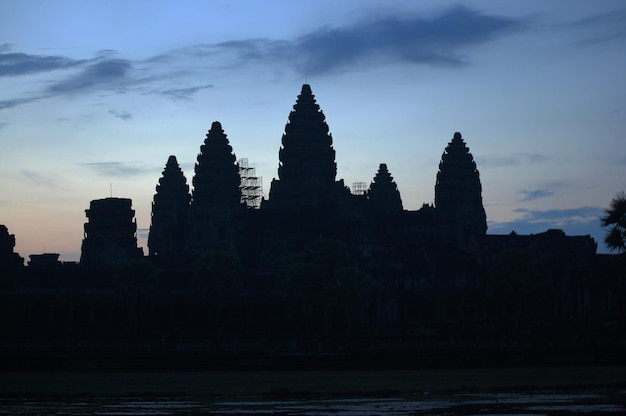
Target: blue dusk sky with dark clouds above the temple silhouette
x,y
94,97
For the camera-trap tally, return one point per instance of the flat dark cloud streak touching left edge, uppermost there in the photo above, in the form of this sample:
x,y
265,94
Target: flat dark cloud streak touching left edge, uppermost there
x,y
16,63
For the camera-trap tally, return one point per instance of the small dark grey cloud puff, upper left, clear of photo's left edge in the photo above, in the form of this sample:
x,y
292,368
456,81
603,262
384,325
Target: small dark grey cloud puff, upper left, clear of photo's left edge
x,y
105,73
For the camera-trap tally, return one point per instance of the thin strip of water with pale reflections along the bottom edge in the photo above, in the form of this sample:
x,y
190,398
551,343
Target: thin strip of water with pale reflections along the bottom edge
x,y
600,402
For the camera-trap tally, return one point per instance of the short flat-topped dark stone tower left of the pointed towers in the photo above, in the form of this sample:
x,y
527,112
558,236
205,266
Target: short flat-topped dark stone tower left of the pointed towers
x,y
110,233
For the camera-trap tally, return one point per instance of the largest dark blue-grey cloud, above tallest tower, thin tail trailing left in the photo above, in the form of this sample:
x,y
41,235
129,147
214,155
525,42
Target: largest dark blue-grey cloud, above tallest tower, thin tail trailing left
x,y
439,40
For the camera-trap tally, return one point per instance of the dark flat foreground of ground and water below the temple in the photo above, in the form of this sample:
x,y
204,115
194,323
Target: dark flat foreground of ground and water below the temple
x,y
597,390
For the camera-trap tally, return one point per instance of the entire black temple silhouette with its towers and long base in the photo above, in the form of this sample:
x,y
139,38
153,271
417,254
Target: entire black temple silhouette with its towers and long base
x,y
316,268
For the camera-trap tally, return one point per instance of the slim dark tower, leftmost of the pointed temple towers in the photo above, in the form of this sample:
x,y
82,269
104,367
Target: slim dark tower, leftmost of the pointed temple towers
x,y
170,208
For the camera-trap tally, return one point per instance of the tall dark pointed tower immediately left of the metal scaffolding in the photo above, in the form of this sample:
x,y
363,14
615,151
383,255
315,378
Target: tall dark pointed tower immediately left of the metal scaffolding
x,y
216,201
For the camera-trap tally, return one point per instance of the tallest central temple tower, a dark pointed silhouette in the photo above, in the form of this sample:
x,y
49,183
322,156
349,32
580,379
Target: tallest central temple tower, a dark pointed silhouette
x,y
307,168
